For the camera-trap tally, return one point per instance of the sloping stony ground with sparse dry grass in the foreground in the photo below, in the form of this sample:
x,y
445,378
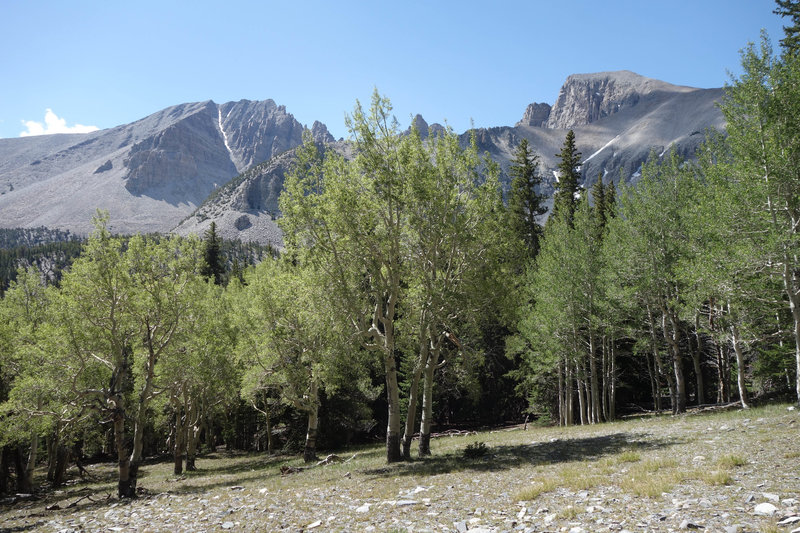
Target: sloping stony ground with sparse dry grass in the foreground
x,y
735,471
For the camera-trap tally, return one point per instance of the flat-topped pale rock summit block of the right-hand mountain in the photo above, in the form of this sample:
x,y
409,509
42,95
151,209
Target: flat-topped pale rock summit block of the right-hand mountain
x,y
585,98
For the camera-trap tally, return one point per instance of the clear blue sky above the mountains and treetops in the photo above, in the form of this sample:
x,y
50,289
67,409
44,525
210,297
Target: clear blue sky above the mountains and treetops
x,y
106,63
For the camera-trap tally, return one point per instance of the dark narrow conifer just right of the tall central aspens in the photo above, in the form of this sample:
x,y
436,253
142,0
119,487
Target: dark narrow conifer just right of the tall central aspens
x,y
524,202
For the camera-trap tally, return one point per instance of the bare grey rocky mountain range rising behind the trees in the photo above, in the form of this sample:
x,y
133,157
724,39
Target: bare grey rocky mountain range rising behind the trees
x,y
185,166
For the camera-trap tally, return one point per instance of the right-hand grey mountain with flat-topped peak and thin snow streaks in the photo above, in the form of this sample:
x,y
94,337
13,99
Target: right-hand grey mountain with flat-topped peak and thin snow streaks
x,y
619,119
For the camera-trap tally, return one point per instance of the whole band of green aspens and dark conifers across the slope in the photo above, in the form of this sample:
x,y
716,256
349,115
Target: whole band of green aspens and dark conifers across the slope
x,y
409,295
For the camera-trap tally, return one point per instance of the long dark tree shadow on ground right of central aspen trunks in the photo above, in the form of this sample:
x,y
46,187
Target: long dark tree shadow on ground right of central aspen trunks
x,y
504,457
